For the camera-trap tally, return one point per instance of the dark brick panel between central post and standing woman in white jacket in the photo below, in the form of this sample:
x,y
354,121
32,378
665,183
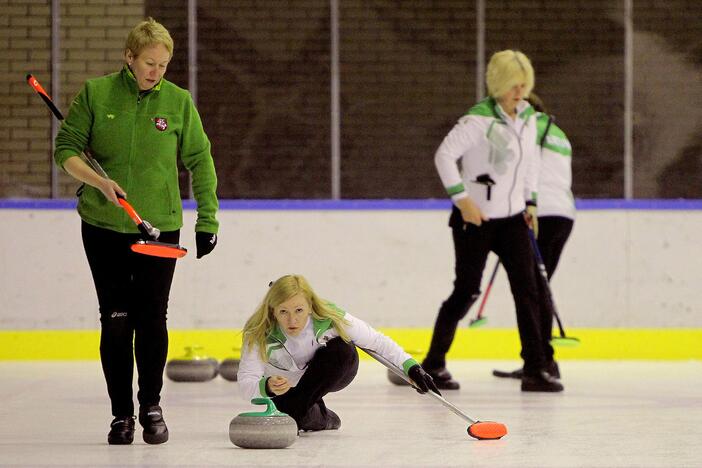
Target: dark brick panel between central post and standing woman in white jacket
x,y
407,74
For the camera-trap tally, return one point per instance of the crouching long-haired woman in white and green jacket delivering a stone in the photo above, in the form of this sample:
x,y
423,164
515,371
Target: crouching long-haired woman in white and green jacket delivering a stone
x,y
298,347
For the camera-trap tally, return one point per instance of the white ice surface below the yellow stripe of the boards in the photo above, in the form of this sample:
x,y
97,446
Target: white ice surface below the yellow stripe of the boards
x,y
611,414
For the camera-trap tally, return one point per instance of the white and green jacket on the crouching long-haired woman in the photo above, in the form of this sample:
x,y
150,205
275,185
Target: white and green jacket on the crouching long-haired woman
x,y
288,356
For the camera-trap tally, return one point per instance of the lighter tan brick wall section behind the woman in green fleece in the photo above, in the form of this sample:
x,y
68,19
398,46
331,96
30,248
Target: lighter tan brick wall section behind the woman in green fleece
x,y
92,39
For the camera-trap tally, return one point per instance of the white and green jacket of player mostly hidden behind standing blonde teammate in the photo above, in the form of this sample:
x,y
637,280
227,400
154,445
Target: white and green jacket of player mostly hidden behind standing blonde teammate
x,y
555,175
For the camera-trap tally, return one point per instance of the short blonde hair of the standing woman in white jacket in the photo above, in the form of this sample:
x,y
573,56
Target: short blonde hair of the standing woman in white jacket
x,y
506,69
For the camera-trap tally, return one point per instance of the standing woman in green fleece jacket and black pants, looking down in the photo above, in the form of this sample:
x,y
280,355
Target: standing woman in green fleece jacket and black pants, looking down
x,y
136,124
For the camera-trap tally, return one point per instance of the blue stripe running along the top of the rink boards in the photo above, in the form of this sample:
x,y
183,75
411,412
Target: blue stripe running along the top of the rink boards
x,y
369,205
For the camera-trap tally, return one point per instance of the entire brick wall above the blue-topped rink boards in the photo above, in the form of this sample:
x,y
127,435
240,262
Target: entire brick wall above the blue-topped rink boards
x,y
407,74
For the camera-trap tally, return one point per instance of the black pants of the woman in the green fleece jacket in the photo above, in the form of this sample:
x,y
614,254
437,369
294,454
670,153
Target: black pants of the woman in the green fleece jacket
x,y
132,292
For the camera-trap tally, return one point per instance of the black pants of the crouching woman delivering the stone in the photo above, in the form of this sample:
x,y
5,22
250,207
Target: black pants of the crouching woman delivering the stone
x,y
332,368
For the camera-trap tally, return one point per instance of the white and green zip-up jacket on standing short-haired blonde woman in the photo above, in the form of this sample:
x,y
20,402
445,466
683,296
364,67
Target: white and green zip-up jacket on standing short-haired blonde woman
x,y
489,143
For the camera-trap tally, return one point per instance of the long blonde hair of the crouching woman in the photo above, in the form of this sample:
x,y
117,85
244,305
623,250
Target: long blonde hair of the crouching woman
x,y
261,323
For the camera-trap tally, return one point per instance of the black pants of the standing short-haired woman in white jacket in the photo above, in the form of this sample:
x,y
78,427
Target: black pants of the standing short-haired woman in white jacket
x,y
508,238
